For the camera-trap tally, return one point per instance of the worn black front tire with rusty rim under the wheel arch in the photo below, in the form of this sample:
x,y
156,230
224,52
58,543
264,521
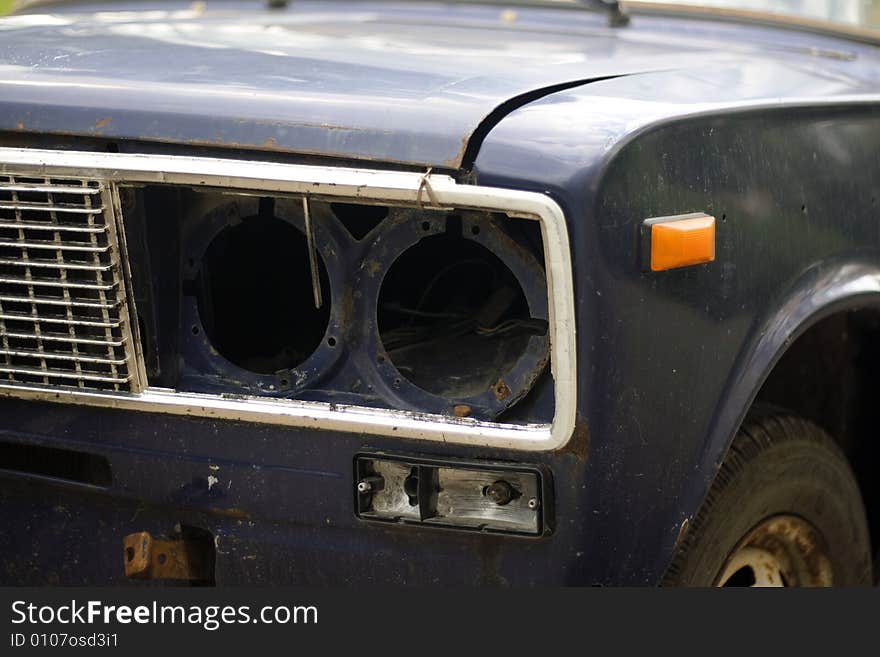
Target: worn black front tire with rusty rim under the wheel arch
x,y
784,510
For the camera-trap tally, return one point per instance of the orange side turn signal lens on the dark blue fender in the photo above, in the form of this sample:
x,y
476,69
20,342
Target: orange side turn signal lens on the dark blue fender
x,y
681,241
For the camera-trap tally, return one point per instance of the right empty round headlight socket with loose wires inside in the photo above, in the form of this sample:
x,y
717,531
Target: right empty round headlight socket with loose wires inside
x,y
477,239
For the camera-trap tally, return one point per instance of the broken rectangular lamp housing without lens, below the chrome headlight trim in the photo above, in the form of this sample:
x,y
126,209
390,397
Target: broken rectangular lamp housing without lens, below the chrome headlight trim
x,y
490,497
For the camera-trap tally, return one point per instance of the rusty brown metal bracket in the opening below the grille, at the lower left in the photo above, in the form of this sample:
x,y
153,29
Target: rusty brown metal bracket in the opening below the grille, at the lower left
x,y
147,557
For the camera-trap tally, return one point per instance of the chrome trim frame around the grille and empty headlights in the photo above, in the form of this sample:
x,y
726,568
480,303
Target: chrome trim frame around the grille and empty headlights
x,y
364,185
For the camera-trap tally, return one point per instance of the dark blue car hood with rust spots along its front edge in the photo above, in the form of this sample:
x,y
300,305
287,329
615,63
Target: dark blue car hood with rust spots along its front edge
x,y
401,83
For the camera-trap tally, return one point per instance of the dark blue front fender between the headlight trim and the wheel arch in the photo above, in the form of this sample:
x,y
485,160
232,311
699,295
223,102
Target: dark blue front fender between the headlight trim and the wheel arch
x,y
670,361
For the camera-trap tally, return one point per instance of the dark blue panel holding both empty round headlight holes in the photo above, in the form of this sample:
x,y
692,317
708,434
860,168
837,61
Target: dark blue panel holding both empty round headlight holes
x,y
427,311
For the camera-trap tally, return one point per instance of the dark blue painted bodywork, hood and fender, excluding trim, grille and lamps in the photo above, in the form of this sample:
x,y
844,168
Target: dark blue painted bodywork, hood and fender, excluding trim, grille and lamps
x,y
750,124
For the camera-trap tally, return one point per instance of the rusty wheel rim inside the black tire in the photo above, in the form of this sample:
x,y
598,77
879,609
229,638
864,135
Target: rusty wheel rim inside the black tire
x,y
782,551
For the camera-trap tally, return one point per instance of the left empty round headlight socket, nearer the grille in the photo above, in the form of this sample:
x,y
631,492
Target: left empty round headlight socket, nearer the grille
x,y
209,364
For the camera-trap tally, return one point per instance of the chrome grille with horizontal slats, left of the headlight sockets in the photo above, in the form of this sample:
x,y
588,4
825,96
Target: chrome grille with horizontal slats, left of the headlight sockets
x,y
62,312
